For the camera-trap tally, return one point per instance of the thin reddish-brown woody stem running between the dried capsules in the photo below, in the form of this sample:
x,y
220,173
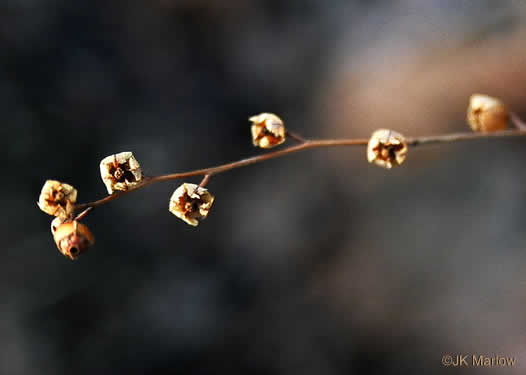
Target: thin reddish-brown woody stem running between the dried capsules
x,y
305,144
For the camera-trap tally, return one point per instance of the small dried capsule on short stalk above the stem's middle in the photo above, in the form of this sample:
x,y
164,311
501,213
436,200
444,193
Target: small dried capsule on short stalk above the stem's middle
x,y
267,130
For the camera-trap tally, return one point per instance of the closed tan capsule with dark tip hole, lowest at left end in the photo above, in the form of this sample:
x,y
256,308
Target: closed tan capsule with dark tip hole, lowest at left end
x,y
72,238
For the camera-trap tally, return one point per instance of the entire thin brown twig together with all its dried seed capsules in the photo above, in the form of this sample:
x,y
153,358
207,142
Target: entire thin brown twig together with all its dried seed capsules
x,y
121,173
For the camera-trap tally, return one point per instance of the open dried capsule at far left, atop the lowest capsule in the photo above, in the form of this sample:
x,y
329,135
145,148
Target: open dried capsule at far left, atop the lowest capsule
x,y
57,198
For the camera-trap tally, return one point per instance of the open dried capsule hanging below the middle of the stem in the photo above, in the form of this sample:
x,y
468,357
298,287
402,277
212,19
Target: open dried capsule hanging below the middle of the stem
x,y
191,203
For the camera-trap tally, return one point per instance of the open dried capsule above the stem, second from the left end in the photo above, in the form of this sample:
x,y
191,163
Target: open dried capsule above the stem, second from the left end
x,y
120,172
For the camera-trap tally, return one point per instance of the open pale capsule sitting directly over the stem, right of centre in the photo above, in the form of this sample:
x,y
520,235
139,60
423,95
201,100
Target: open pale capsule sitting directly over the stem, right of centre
x,y
386,148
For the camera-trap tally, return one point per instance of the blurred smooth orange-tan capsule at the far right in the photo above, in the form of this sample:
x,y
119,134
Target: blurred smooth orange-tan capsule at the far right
x,y
487,114
